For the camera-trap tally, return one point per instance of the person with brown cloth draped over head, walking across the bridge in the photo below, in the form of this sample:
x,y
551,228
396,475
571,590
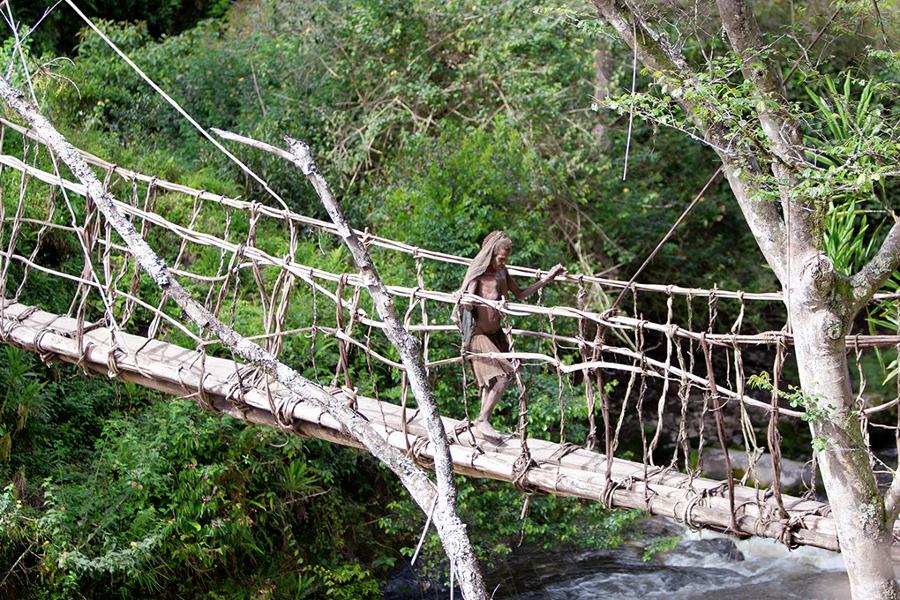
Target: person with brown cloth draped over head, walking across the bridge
x,y
488,278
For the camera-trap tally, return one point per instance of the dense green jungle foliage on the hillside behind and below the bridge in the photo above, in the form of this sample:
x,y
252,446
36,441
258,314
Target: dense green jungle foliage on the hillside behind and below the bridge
x,y
435,122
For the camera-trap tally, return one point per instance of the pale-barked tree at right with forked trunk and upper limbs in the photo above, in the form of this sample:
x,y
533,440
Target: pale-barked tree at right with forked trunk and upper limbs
x,y
819,311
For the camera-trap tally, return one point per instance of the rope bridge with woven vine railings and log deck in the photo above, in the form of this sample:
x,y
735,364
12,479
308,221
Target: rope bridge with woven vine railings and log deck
x,y
70,290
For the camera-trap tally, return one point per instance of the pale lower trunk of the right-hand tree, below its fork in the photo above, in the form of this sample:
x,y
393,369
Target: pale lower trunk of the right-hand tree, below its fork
x,y
865,534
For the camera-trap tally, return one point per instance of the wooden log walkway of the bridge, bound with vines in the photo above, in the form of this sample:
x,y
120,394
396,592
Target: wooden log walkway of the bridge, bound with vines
x,y
565,470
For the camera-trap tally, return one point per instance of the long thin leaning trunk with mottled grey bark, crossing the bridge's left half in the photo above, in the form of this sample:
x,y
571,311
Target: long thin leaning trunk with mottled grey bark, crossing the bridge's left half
x,y
449,527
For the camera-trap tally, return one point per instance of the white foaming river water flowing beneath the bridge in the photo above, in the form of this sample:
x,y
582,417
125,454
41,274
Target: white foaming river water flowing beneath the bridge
x,y
704,566
